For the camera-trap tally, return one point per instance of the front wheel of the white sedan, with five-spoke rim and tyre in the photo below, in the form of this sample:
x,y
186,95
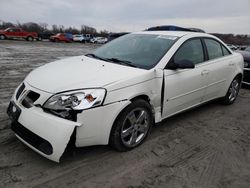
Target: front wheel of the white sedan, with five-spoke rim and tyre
x,y
132,126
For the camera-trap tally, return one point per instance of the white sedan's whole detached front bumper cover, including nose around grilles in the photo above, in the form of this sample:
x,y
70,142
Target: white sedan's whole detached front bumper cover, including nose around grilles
x,y
45,133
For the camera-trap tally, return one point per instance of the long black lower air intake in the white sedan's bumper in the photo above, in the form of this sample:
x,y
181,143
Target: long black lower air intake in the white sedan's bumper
x,y
31,138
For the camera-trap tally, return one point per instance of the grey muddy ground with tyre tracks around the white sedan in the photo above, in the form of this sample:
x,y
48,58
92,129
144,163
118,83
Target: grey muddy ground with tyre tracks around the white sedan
x,y
206,147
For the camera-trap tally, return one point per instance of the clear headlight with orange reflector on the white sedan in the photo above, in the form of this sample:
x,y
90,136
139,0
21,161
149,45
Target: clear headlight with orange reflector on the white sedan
x,y
76,100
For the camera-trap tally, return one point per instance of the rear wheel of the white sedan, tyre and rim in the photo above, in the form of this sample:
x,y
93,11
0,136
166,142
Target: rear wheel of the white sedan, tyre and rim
x,y
232,92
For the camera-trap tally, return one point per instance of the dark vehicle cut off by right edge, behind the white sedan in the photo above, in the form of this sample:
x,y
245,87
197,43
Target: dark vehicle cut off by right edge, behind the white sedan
x,y
246,56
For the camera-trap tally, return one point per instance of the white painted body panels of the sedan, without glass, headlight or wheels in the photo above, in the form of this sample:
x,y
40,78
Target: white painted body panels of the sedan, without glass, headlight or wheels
x,y
183,89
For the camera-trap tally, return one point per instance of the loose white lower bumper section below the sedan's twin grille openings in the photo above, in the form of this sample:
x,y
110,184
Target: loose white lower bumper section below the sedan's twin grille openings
x,y
46,134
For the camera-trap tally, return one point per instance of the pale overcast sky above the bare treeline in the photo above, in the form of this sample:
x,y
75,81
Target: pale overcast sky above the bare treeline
x,y
223,16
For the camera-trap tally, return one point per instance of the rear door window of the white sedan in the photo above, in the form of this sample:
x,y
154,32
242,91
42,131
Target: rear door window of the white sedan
x,y
214,48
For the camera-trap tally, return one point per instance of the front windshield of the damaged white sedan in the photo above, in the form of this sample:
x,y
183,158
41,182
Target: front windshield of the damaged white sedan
x,y
137,50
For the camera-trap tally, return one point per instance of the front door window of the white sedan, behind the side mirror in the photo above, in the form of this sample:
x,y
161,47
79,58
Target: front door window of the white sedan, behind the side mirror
x,y
191,50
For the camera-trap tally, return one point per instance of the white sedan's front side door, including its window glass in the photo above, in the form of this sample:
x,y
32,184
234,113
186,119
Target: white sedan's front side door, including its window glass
x,y
185,88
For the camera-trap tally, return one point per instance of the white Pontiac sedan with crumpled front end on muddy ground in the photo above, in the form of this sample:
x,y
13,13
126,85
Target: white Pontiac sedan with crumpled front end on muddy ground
x,y
114,95
